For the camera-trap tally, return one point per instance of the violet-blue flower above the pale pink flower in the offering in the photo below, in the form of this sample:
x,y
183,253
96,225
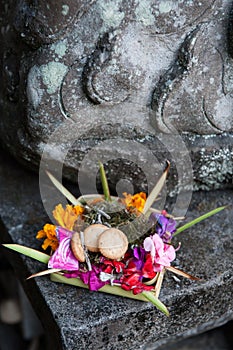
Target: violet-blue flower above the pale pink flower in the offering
x,y
165,227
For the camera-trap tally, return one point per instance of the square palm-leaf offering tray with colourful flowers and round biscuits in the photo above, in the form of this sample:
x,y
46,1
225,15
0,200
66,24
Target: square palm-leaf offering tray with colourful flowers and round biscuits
x,y
116,245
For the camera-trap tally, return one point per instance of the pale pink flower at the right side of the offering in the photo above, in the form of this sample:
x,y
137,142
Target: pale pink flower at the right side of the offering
x,y
162,253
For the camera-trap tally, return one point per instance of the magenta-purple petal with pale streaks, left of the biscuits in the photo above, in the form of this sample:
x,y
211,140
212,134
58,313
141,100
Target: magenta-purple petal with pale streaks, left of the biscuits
x,y
63,258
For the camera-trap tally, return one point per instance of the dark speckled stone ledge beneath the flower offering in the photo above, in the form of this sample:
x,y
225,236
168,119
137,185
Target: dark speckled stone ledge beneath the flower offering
x,y
74,317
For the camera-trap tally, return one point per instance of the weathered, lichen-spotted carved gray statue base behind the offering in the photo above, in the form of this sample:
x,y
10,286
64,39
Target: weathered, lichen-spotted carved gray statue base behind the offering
x,y
76,74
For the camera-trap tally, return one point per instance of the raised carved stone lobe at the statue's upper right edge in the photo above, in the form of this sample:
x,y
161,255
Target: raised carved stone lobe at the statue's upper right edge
x,y
195,95
